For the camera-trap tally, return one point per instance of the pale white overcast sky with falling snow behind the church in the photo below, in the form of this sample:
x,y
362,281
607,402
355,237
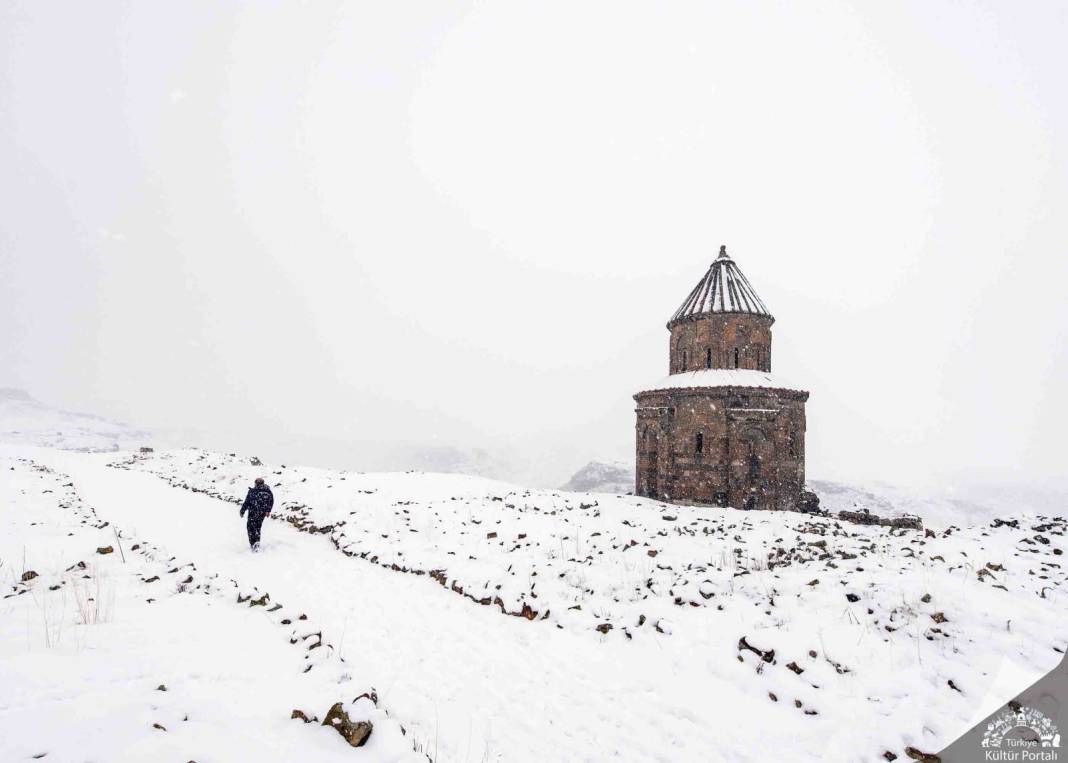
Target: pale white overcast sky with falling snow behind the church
x,y
468,224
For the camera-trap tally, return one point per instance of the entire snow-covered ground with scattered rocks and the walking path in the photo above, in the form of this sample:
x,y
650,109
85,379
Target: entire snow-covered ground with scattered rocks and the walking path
x,y
500,624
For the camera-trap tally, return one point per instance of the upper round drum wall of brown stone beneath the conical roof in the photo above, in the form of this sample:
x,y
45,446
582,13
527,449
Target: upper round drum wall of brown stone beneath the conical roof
x,y
721,341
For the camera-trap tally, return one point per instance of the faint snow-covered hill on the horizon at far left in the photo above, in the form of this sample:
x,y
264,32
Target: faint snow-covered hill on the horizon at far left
x,y
27,422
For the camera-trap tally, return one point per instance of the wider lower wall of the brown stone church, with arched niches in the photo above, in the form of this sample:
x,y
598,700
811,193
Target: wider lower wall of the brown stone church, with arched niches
x,y
721,446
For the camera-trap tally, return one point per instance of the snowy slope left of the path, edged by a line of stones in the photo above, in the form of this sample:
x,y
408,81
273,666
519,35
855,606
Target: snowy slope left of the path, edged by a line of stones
x,y
136,656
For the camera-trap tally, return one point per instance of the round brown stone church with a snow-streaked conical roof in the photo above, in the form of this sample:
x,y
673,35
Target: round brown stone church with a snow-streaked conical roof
x,y
720,430
